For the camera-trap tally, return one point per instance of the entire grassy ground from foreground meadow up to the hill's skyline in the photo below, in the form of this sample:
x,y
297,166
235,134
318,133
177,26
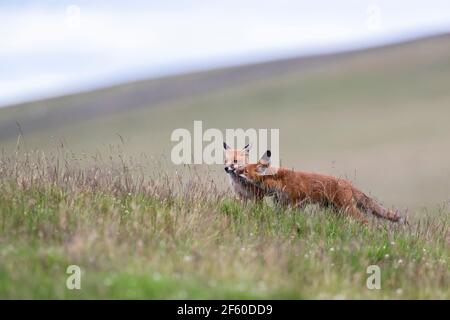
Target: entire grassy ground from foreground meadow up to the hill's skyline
x,y
90,183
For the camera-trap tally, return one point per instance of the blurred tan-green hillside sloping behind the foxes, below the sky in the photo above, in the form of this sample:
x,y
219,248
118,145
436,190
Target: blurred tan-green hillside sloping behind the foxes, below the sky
x,y
379,116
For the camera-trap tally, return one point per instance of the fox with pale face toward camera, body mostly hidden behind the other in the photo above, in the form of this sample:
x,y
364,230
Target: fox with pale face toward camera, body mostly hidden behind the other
x,y
234,159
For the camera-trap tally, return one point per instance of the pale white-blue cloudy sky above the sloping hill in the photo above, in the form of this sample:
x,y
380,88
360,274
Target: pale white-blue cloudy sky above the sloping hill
x,y
53,47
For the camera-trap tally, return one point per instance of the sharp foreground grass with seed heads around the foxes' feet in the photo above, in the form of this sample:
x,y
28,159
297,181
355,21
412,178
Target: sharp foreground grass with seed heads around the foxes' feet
x,y
162,236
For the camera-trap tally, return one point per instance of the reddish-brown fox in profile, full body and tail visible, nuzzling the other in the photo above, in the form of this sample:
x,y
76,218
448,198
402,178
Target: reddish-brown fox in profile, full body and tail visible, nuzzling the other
x,y
298,188
